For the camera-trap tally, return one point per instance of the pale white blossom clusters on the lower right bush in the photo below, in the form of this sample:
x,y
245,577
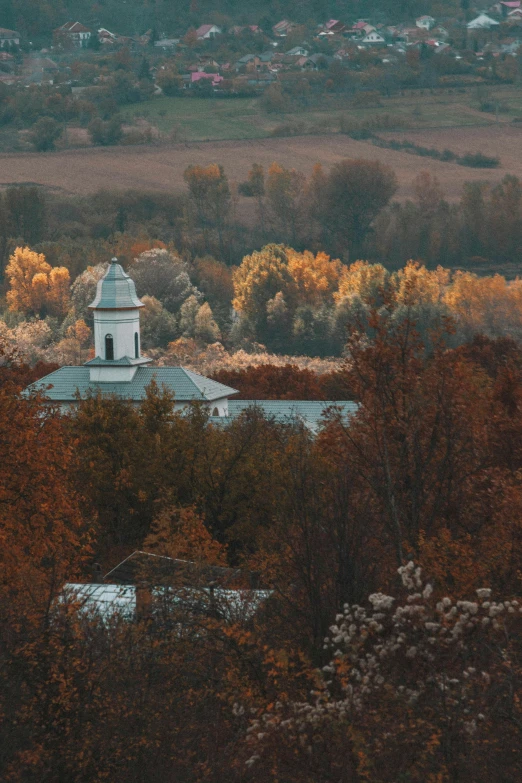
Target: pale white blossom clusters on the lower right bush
x,y
419,650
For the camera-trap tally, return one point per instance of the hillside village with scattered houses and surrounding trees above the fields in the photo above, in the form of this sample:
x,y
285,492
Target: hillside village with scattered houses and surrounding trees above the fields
x,y
96,70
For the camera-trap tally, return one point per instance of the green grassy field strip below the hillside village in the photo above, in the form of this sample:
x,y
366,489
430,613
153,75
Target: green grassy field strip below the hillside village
x,y
203,119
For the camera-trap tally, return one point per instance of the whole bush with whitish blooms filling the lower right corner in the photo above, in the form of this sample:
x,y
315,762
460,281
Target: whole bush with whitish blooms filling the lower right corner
x,y
418,688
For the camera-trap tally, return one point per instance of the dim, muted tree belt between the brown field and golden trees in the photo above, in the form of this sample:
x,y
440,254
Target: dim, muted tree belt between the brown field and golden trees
x,y
347,212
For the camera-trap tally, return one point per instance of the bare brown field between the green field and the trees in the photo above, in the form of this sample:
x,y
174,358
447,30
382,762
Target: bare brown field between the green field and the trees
x,y
161,167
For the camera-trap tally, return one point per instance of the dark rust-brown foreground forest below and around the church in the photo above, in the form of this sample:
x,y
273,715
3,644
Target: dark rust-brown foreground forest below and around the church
x,y
390,545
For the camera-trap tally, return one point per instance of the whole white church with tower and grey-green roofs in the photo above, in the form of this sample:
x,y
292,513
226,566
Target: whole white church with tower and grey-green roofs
x,y
120,369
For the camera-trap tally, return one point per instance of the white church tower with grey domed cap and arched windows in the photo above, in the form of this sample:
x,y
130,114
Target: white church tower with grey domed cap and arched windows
x,y
116,311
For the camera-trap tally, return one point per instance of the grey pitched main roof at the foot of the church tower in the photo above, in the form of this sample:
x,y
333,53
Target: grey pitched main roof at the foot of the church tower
x,y
186,386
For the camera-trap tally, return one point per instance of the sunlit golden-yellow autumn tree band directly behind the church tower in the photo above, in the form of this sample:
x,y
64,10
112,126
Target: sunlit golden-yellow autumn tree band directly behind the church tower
x,y
278,299
